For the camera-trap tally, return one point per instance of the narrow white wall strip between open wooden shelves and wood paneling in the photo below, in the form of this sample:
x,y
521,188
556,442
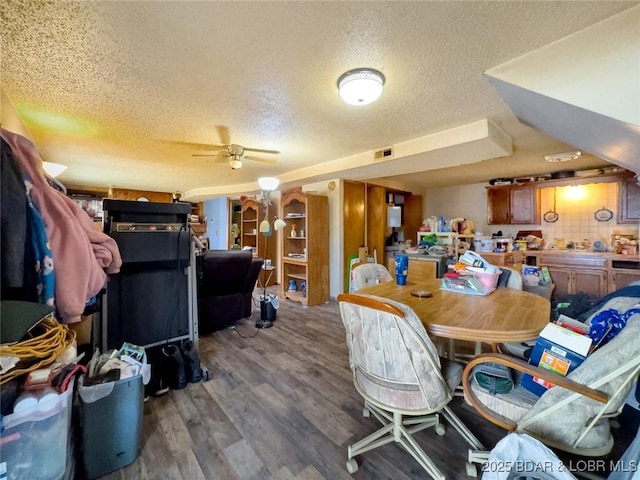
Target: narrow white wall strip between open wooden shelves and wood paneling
x,y
336,233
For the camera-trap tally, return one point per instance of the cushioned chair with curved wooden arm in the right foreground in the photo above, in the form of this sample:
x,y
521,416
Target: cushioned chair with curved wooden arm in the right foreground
x,y
574,415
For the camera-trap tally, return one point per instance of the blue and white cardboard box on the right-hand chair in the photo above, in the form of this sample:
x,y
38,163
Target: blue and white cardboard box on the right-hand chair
x,y
559,350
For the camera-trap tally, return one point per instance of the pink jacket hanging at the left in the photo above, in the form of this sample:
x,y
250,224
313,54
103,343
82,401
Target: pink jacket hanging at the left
x,y
81,254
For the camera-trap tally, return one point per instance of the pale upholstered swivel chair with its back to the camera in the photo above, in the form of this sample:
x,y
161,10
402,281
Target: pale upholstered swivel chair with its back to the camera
x,y
396,369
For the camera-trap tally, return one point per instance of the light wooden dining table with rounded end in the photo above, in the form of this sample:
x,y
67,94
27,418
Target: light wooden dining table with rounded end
x,y
502,316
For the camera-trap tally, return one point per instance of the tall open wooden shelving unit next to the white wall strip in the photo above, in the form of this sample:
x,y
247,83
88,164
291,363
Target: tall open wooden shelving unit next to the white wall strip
x,y
305,256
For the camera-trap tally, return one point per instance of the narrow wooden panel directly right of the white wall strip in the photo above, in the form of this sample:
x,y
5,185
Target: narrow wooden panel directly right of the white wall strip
x,y
353,223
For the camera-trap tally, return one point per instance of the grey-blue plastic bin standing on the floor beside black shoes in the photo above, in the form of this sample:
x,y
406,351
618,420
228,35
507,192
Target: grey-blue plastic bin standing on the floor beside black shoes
x,y
111,424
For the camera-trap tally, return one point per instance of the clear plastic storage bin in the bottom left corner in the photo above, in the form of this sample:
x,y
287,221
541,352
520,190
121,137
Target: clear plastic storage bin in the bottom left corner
x,y
35,441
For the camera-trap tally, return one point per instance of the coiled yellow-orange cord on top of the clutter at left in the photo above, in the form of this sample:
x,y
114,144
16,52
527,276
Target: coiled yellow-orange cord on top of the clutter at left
x,y
38,351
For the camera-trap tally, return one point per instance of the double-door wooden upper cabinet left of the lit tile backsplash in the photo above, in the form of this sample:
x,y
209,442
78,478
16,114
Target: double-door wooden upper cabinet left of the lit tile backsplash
x,y
513,205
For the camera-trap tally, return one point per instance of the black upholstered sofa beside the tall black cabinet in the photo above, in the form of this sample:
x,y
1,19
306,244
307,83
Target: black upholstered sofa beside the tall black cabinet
x,y
226,280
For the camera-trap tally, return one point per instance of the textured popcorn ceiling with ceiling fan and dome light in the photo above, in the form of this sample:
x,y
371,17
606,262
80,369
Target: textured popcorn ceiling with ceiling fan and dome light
x,y
111,89
